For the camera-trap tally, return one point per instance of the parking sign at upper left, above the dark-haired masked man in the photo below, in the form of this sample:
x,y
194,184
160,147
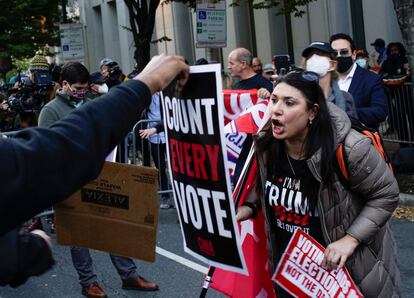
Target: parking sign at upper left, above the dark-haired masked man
x,y
72,42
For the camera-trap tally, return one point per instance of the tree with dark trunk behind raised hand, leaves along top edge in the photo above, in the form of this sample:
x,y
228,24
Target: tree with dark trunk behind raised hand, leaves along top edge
x,y
142,20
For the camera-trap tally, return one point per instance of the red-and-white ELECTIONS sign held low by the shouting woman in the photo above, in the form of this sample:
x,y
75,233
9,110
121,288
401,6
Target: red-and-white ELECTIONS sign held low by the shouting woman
x,y
300,273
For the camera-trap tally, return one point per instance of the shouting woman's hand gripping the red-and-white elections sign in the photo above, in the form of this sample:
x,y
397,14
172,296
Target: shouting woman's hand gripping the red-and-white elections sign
x,y
338,252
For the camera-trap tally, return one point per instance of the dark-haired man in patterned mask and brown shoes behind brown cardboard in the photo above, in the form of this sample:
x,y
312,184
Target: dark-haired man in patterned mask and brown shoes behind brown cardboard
x,y
75,82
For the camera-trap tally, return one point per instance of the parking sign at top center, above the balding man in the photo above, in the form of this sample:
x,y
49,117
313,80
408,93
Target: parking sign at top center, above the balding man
x,y
211,24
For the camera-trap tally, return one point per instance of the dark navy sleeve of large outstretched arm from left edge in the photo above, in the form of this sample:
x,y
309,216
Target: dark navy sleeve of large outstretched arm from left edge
x,y
40,167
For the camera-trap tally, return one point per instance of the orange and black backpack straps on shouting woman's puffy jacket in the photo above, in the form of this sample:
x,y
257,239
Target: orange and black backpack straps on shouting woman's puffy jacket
x,y
376,142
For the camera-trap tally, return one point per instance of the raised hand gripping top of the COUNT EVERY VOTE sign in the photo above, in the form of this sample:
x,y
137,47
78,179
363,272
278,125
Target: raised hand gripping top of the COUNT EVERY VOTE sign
x,y
162,70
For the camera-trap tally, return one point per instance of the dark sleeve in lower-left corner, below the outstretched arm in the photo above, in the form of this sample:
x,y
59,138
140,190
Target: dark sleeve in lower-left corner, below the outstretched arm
x,y
22,255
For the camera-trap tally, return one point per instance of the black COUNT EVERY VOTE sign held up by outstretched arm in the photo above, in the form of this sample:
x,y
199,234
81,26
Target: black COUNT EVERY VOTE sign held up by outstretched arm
x,y
197,159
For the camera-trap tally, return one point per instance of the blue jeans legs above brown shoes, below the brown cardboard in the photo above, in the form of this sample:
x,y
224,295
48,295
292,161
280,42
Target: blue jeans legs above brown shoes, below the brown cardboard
x,y
82,262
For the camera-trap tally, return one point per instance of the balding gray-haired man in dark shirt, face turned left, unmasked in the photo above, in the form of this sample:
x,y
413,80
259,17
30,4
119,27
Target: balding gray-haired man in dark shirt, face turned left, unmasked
x,y
240,67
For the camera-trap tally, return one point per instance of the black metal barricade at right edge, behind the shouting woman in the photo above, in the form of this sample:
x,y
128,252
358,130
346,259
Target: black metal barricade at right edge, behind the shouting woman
x,y
399,126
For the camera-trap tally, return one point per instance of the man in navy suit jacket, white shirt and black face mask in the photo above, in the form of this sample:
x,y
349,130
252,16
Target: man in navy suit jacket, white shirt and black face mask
x,y
365,86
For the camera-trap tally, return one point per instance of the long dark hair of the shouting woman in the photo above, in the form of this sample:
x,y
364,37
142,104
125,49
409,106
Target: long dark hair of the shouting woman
x,y
320,134
